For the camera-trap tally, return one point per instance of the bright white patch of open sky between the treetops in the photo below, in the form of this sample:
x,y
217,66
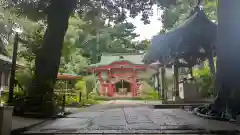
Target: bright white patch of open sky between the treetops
x,y
149,30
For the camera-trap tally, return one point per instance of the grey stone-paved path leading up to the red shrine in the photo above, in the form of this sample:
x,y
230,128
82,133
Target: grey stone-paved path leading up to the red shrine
x,y
133,120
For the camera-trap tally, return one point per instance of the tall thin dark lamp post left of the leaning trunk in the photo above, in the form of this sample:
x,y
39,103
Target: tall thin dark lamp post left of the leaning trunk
x,y
13,66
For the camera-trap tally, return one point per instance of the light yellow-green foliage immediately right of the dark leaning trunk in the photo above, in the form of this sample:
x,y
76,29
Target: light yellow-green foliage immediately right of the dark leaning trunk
x,y
72,60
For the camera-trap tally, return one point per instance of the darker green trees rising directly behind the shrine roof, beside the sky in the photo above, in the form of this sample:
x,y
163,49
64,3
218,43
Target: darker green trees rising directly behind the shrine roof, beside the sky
x,y
113,39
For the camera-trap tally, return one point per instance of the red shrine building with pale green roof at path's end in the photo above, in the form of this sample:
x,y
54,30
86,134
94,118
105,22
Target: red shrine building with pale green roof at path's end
x,y
119,74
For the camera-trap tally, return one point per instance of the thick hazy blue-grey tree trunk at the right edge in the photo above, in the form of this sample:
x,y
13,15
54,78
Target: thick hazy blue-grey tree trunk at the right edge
x,y
228,65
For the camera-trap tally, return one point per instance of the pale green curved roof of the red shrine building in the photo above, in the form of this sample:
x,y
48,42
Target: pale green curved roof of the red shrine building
x,y
108,58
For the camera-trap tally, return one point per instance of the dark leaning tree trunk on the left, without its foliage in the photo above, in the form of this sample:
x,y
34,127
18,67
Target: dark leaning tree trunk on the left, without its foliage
x,y
48,57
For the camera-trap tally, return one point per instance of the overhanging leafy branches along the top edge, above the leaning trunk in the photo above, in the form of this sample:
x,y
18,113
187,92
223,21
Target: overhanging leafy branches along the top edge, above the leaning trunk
x,y
113,10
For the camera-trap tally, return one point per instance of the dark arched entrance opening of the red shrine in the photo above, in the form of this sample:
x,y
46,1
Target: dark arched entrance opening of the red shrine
x,y
123,88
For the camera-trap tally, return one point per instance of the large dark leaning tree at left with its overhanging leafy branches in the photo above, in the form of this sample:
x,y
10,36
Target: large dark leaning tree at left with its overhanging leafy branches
x,y
57,14
